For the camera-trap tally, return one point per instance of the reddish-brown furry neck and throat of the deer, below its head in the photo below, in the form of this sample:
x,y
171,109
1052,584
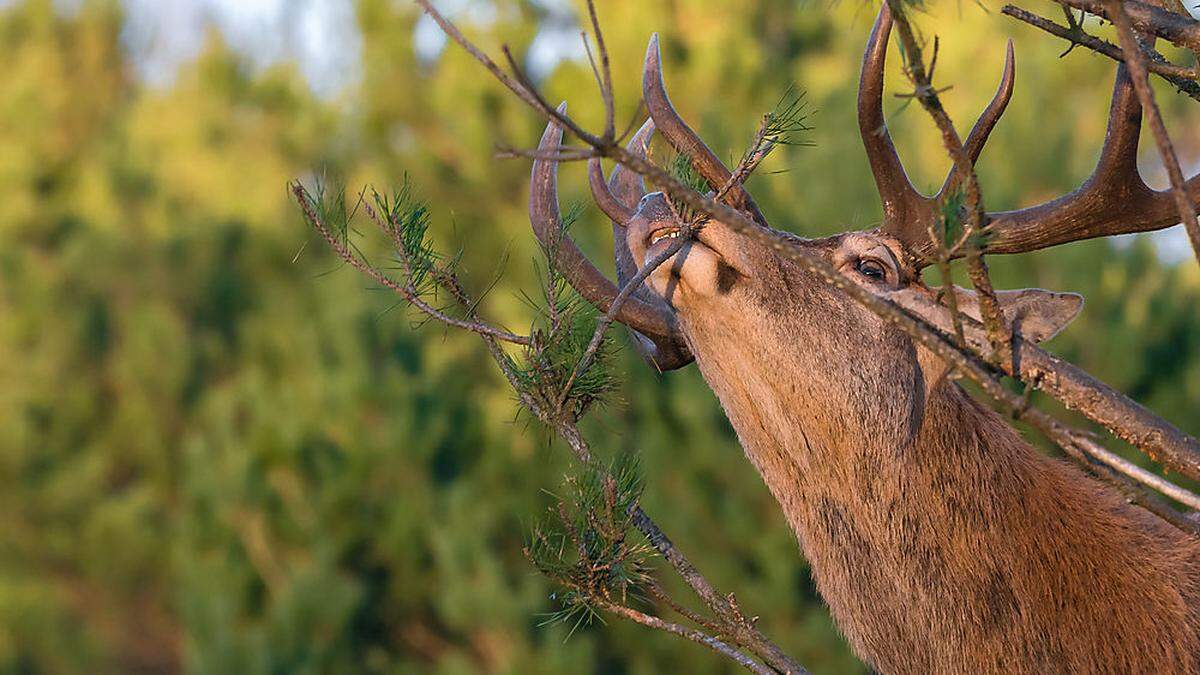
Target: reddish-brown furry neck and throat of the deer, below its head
x,y
949,543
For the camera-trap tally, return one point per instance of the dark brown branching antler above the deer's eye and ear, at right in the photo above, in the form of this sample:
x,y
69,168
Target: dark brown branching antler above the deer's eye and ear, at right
x,y
1114,200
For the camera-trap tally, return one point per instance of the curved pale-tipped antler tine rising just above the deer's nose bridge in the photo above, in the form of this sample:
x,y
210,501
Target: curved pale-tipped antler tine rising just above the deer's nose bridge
x,y
685,140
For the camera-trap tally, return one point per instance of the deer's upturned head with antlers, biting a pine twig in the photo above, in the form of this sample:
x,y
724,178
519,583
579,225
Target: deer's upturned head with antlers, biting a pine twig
x,y
725,292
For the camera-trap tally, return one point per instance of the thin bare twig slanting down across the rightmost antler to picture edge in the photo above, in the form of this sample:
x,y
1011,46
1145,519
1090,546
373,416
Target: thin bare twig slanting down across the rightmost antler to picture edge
x,y
1137,63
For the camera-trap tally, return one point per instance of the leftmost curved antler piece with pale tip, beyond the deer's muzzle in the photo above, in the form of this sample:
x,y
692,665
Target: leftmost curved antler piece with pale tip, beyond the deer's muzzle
x,y
664,343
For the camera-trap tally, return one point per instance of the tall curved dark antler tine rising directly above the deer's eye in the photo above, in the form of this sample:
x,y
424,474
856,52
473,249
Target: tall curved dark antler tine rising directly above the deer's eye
x,y
904,208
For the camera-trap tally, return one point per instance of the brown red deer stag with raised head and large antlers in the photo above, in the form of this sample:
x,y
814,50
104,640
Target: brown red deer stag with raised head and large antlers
x,y
940,540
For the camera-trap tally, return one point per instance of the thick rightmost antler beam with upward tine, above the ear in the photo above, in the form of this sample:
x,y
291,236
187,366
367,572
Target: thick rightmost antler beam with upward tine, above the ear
x,y
1114,200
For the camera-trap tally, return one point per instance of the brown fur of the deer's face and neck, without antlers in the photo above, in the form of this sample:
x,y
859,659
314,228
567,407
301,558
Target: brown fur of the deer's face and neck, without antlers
x,y
940,540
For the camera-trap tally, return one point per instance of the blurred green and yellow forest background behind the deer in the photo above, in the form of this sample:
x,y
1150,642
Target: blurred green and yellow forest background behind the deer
x,y
223,453
